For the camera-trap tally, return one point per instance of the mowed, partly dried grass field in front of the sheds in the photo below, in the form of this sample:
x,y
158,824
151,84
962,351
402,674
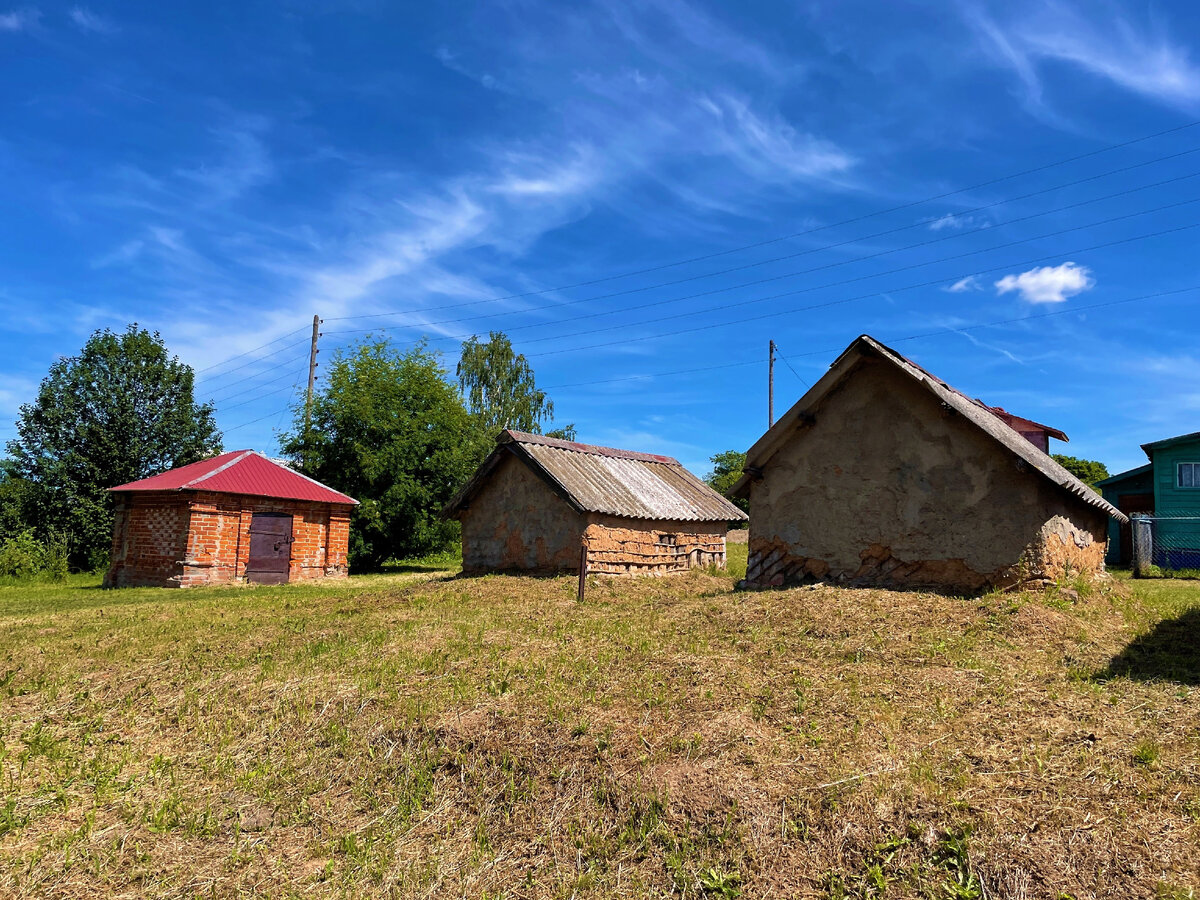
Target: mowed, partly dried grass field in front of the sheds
x,y
418,735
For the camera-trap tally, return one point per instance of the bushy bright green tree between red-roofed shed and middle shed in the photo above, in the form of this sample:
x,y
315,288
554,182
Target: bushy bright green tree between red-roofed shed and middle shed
x,y
389,429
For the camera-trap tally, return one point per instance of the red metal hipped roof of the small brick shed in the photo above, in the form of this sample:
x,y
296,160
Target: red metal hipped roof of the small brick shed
x,y
245,472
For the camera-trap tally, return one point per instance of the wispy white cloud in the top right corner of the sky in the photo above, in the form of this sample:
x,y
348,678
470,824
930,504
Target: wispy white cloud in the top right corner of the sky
x,y
1142,58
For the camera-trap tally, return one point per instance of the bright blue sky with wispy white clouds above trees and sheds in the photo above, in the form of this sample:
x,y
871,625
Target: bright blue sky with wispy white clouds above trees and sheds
x,y
632,191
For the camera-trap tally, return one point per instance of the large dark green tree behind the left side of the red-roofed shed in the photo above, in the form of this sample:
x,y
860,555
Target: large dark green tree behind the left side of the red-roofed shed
x,y
122,410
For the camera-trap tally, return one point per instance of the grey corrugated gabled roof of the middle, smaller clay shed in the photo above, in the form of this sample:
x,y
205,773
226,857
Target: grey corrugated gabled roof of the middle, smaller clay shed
x,y
603,479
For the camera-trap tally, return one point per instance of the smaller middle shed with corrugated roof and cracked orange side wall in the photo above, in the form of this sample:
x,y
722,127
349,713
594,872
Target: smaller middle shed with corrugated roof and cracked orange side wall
x,y
538,505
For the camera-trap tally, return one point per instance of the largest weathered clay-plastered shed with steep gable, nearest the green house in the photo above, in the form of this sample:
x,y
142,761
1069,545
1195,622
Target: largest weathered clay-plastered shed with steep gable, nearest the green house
x,y
884,475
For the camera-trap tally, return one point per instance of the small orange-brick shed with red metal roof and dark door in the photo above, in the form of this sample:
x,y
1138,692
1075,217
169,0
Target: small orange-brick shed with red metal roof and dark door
x,y
235,519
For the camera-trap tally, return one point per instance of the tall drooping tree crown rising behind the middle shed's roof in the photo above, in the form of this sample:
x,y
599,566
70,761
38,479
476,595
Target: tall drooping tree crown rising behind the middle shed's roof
x,y
500,389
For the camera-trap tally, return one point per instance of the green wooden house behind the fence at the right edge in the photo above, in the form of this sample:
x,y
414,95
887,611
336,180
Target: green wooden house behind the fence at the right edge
x,y
1168,488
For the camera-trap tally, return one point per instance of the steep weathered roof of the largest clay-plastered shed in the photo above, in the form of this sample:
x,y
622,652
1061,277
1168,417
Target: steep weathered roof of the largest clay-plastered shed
x,y
979,415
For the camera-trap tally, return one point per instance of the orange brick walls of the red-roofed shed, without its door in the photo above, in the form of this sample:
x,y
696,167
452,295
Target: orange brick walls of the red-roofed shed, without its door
x,y
183,539
